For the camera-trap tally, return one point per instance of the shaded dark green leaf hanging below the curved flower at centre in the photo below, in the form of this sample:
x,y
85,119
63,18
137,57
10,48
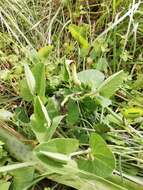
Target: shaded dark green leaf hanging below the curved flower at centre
x,y
73,112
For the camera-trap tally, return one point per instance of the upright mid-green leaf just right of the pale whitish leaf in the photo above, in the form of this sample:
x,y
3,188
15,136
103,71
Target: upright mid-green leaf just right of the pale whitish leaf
x,y
39,74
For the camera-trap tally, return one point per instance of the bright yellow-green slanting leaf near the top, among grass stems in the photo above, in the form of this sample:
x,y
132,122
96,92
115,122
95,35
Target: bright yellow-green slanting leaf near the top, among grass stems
x,y
76,34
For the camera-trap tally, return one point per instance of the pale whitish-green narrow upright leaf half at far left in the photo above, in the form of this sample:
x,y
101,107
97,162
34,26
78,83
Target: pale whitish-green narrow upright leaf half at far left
x,y
30,79
